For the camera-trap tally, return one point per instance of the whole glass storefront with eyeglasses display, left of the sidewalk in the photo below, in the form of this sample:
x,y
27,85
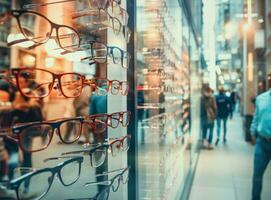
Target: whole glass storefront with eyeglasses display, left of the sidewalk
x,y
118,88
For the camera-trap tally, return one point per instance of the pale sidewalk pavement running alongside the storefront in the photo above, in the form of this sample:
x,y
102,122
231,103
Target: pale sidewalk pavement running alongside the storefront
x,y
226,172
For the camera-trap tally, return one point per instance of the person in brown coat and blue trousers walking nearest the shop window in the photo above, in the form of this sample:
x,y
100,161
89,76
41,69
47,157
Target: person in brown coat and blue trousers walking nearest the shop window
x,y
208,116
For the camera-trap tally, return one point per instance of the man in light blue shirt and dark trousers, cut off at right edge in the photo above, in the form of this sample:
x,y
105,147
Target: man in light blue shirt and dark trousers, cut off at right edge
x,y
261,128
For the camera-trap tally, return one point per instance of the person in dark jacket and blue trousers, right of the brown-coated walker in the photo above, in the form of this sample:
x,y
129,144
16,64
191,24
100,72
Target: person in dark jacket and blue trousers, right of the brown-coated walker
x,y
223,109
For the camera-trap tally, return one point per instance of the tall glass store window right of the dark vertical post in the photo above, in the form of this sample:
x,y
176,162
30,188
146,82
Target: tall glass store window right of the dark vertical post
x,y
167,99
